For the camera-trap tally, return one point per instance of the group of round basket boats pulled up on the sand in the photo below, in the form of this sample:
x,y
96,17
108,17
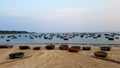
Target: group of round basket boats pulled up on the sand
x,y
101,53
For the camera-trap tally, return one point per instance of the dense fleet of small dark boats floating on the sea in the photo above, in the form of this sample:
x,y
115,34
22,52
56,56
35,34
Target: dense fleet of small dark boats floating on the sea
x,y
64,36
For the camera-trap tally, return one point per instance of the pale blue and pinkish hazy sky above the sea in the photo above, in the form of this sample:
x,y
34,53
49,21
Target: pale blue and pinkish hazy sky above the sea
x,y
60,15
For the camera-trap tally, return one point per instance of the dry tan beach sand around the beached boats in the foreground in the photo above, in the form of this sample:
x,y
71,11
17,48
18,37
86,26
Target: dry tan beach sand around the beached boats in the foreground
x,y
58,58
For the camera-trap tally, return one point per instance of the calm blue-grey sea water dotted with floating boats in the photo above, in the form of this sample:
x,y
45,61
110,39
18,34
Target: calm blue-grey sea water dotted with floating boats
x,y
31,39
